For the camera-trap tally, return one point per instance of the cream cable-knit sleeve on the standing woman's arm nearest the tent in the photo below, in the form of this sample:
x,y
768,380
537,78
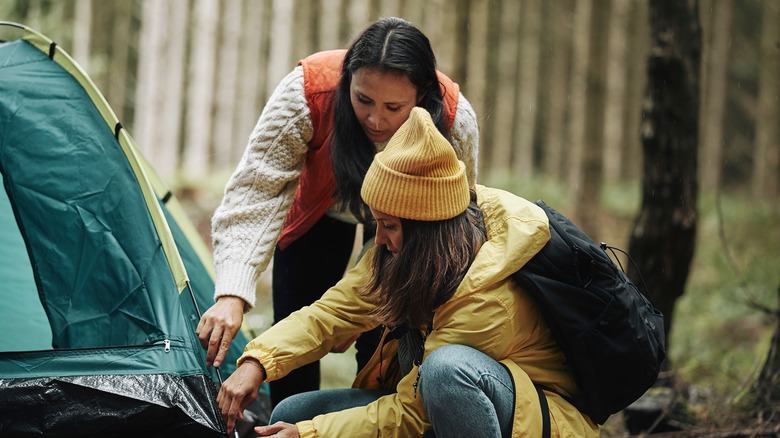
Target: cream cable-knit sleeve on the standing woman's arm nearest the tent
x,y
258,196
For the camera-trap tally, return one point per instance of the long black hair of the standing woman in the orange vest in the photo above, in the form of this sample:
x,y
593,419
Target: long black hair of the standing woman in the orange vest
x,y
390,44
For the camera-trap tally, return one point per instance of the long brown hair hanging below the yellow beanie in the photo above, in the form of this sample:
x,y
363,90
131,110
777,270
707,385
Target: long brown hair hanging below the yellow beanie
x,y
428,268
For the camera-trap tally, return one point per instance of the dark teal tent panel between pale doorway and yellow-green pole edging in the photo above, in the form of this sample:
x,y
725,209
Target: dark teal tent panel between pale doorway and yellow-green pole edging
x,y
95,264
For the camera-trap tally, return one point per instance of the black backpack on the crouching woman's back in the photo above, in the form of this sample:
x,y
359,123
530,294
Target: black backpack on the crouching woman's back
x,y
611,334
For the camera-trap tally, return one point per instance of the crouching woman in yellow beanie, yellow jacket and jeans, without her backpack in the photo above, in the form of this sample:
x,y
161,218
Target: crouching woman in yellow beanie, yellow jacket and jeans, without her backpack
x,y
464,348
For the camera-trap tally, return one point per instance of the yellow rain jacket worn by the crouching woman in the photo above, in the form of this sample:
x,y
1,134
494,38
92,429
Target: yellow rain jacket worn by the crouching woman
x,y
488,312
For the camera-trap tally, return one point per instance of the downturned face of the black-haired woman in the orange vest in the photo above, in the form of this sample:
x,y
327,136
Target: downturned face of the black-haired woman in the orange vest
x,y
382,101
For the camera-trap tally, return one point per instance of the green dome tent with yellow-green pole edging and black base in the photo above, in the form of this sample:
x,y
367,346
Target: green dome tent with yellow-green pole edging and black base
x,y
102,277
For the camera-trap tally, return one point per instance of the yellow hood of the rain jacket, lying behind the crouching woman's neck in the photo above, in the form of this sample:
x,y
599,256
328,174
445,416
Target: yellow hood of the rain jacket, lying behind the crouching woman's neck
x,y
517,229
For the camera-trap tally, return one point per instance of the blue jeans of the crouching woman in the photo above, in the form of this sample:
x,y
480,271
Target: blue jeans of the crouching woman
x,y
465,393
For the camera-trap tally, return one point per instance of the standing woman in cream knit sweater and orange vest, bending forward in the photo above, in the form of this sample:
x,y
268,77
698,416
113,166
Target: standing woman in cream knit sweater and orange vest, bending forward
x,y
296,192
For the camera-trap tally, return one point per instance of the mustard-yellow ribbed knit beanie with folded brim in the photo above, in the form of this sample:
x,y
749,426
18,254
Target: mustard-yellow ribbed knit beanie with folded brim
x,y
417,176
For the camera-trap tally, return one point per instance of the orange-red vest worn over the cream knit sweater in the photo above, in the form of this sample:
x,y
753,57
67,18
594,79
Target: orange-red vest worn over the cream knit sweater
x,y
314,196
